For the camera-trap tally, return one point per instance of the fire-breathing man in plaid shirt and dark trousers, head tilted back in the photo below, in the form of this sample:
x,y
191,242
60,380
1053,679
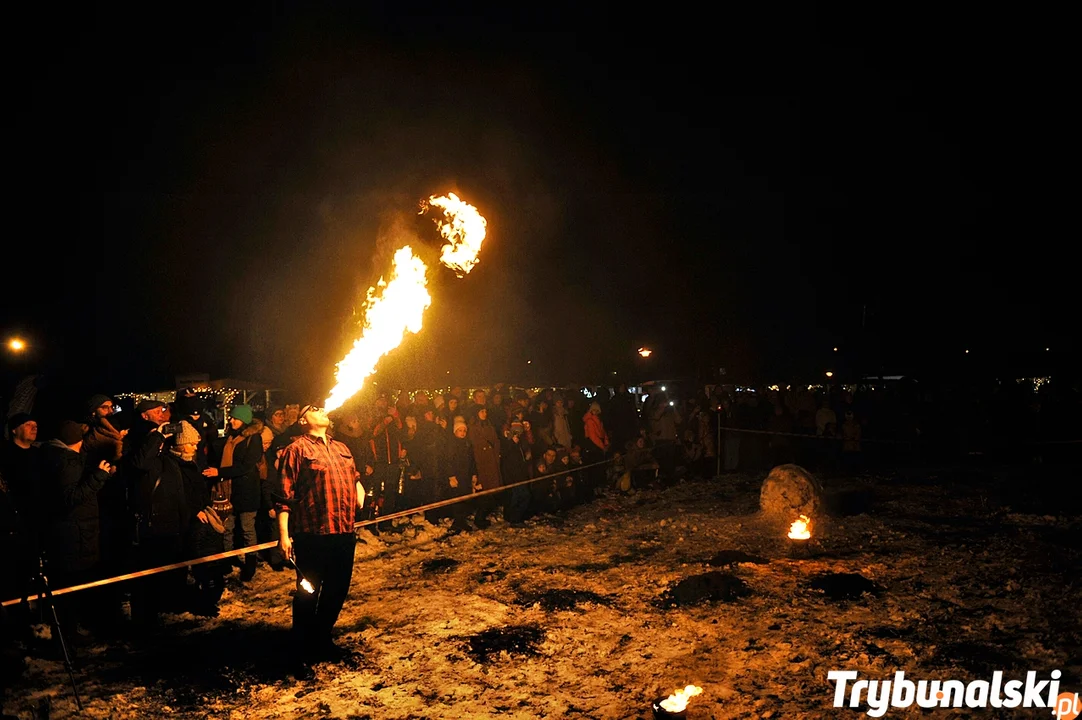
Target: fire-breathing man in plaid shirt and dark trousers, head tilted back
x,y
321,491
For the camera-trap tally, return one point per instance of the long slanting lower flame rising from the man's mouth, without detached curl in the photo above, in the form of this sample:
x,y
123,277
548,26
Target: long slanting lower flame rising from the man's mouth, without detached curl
x,y
393,309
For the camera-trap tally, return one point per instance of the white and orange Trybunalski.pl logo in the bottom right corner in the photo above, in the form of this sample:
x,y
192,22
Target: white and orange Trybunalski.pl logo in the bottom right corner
x,y
881,696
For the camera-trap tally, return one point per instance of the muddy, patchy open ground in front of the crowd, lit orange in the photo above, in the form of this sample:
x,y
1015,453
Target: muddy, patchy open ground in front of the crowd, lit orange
x,y
943,573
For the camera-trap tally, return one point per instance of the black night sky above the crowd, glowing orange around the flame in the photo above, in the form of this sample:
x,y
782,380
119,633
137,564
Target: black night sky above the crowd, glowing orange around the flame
x,y
205,192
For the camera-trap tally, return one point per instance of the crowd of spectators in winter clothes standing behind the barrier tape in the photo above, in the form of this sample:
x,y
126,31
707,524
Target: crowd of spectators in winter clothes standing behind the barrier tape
x,y
104,498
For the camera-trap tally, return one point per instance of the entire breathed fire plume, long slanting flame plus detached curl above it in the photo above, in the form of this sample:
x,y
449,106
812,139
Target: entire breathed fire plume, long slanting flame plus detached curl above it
x,y
397,307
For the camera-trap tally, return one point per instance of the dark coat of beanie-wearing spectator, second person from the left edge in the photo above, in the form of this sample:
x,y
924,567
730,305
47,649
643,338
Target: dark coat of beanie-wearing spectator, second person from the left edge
x,y
70,508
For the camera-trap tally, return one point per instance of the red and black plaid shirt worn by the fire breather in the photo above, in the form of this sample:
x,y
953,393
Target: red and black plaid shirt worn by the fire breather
x,y
320,485
